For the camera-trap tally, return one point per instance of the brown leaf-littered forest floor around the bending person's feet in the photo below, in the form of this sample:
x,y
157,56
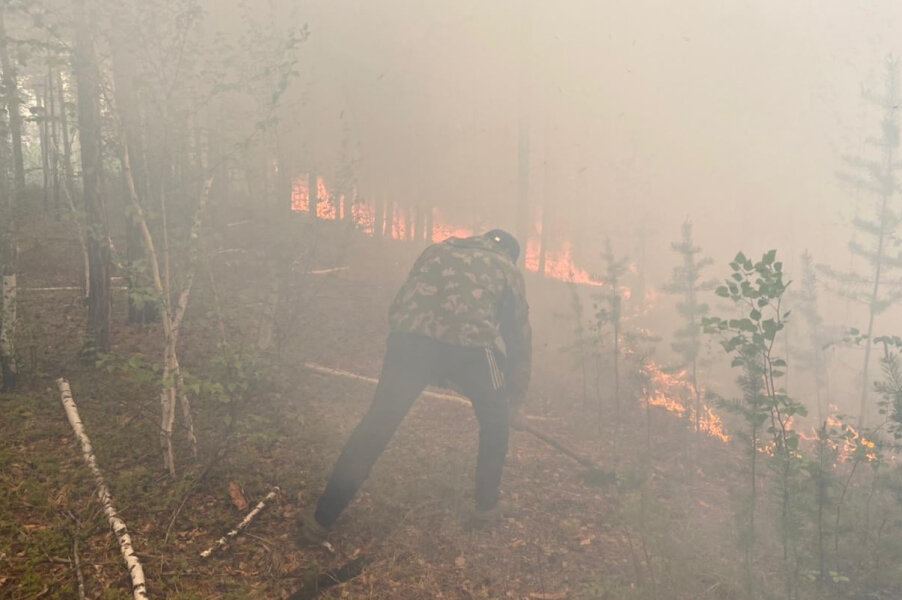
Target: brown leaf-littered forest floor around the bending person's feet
x,y
662,528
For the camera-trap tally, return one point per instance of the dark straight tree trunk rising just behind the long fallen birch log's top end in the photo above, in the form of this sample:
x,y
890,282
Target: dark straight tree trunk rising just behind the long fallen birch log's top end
x,y
99,297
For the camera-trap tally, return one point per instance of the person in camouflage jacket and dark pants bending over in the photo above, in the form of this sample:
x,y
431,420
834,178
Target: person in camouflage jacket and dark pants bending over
x,y
460,320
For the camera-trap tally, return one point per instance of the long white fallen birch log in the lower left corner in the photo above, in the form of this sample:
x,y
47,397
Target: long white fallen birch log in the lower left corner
x,y
139,585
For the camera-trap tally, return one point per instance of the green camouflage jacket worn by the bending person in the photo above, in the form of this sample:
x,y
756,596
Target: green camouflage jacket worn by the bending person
x,y
468,292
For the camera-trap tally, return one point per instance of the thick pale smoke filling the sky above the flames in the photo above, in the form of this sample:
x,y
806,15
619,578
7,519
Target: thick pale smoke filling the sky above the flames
x,y
736,114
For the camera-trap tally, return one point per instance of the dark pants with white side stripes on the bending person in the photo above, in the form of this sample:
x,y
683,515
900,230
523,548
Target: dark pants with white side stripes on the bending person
x,y
411,363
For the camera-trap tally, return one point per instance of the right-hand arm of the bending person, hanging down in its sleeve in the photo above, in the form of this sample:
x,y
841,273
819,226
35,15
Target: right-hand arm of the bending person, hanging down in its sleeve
x,y
517,335
